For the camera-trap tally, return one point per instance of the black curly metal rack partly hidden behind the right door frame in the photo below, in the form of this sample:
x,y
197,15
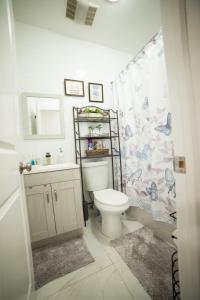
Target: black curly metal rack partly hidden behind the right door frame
x,y
175,270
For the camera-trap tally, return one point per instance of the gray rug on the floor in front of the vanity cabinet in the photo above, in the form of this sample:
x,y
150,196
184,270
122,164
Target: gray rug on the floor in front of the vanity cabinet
x,y
56,260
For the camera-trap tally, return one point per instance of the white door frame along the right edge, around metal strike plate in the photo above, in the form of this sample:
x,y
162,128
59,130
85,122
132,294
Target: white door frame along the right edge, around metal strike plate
x,y
181,41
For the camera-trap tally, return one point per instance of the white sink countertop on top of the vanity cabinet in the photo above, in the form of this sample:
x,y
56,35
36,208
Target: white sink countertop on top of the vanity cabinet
x,y
50,168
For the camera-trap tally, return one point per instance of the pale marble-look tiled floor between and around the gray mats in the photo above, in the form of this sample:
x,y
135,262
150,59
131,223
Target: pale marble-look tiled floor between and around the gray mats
x,y
108,278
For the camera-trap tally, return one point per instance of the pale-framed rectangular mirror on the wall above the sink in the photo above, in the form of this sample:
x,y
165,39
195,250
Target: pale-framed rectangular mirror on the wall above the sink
x,y
43,116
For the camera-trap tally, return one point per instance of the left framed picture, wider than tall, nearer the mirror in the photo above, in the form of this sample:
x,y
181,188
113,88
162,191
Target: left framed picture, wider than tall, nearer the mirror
x,y
74,88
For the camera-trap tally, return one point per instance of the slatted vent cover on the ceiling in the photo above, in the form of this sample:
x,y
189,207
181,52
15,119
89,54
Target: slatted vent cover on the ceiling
x,y
81,11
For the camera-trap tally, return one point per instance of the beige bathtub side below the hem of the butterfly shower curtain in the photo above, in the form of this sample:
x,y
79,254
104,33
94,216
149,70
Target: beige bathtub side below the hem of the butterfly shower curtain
x,y
160,229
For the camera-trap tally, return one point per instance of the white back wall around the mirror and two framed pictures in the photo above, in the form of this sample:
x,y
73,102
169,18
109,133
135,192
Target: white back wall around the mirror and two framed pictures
x,y
45,59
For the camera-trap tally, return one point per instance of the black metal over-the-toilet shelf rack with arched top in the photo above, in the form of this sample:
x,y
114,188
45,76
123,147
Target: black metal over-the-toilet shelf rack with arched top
x,y
110,117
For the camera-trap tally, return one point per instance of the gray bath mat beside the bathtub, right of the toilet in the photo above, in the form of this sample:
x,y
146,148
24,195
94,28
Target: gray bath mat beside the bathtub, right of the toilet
x,y
149,259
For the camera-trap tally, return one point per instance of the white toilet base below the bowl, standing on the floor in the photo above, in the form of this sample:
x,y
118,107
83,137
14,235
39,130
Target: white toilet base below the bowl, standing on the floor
x,y
111,225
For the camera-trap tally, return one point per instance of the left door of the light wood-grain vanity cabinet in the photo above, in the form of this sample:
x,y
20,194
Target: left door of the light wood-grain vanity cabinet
x,y
40,211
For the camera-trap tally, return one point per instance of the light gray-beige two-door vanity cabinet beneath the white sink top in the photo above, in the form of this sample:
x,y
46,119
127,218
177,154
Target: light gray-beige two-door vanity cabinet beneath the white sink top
x,y
54,203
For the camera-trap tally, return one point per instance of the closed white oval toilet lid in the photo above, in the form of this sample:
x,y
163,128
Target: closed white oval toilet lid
x,y
111,197
